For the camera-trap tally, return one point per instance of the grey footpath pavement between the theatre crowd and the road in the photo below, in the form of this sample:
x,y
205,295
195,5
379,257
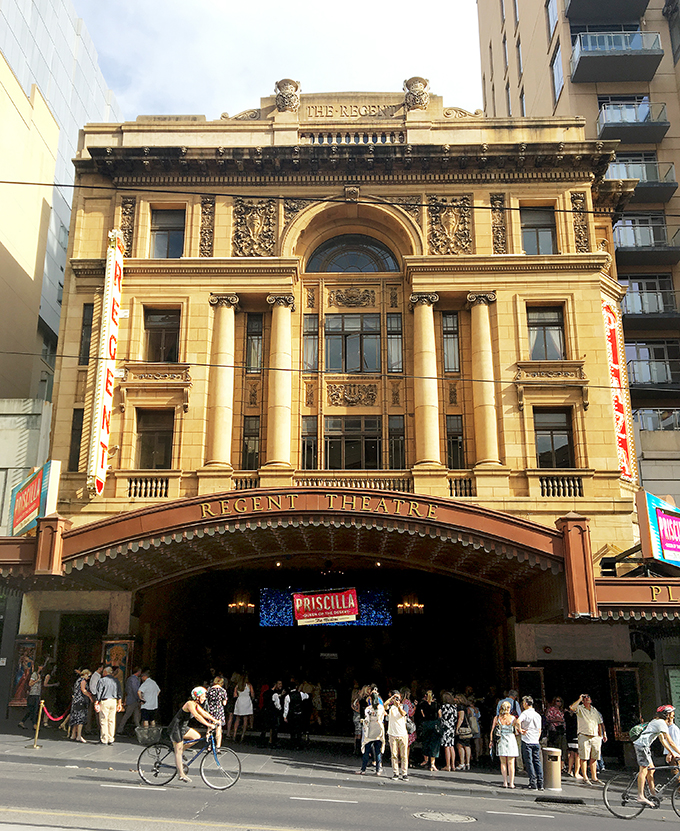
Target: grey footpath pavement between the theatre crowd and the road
x,y
326,760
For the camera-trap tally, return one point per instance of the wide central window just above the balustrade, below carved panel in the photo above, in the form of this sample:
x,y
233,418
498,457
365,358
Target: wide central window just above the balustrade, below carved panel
x,y
353,442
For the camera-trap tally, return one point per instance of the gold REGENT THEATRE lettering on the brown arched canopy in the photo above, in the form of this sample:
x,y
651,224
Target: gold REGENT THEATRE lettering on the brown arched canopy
x,y
407,508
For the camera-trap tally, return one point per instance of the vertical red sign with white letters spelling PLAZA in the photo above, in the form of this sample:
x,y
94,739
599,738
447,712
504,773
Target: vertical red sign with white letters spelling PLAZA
x,y
618,379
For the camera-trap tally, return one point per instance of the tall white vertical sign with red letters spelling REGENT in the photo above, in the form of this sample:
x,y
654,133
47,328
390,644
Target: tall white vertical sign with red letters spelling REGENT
x,y
98,456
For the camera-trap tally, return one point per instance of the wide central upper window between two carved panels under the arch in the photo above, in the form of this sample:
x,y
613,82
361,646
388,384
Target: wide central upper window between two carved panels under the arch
x,y
352,343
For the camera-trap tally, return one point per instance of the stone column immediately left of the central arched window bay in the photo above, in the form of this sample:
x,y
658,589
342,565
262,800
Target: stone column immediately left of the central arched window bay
x,y
280,386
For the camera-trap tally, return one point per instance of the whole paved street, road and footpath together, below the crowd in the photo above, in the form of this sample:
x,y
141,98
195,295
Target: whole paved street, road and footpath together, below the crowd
x,y
92,787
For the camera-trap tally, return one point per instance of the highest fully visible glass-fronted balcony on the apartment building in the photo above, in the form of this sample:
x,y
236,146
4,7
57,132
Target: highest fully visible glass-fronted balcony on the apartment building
x,y
615,57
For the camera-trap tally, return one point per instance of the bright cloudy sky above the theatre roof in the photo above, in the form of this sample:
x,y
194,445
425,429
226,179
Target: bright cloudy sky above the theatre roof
x,y
208,57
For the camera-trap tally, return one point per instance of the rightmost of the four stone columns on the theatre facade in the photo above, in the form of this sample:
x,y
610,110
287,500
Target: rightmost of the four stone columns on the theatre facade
x,y
483,383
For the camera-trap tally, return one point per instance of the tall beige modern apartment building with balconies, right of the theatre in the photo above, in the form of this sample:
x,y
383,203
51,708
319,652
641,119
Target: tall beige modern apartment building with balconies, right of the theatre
x,y
615,63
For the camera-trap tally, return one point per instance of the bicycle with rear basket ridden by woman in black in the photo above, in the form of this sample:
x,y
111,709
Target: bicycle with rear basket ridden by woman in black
x,y
220,768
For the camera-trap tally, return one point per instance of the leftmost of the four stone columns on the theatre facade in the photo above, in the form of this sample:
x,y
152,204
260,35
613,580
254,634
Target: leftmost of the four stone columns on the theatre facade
x,y
221,406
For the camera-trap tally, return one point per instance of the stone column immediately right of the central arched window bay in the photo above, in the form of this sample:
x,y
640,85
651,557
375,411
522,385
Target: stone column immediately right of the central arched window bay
x,y
426,392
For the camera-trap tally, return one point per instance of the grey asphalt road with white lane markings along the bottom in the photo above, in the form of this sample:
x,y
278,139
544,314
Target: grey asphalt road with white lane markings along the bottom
x,y
52,797
